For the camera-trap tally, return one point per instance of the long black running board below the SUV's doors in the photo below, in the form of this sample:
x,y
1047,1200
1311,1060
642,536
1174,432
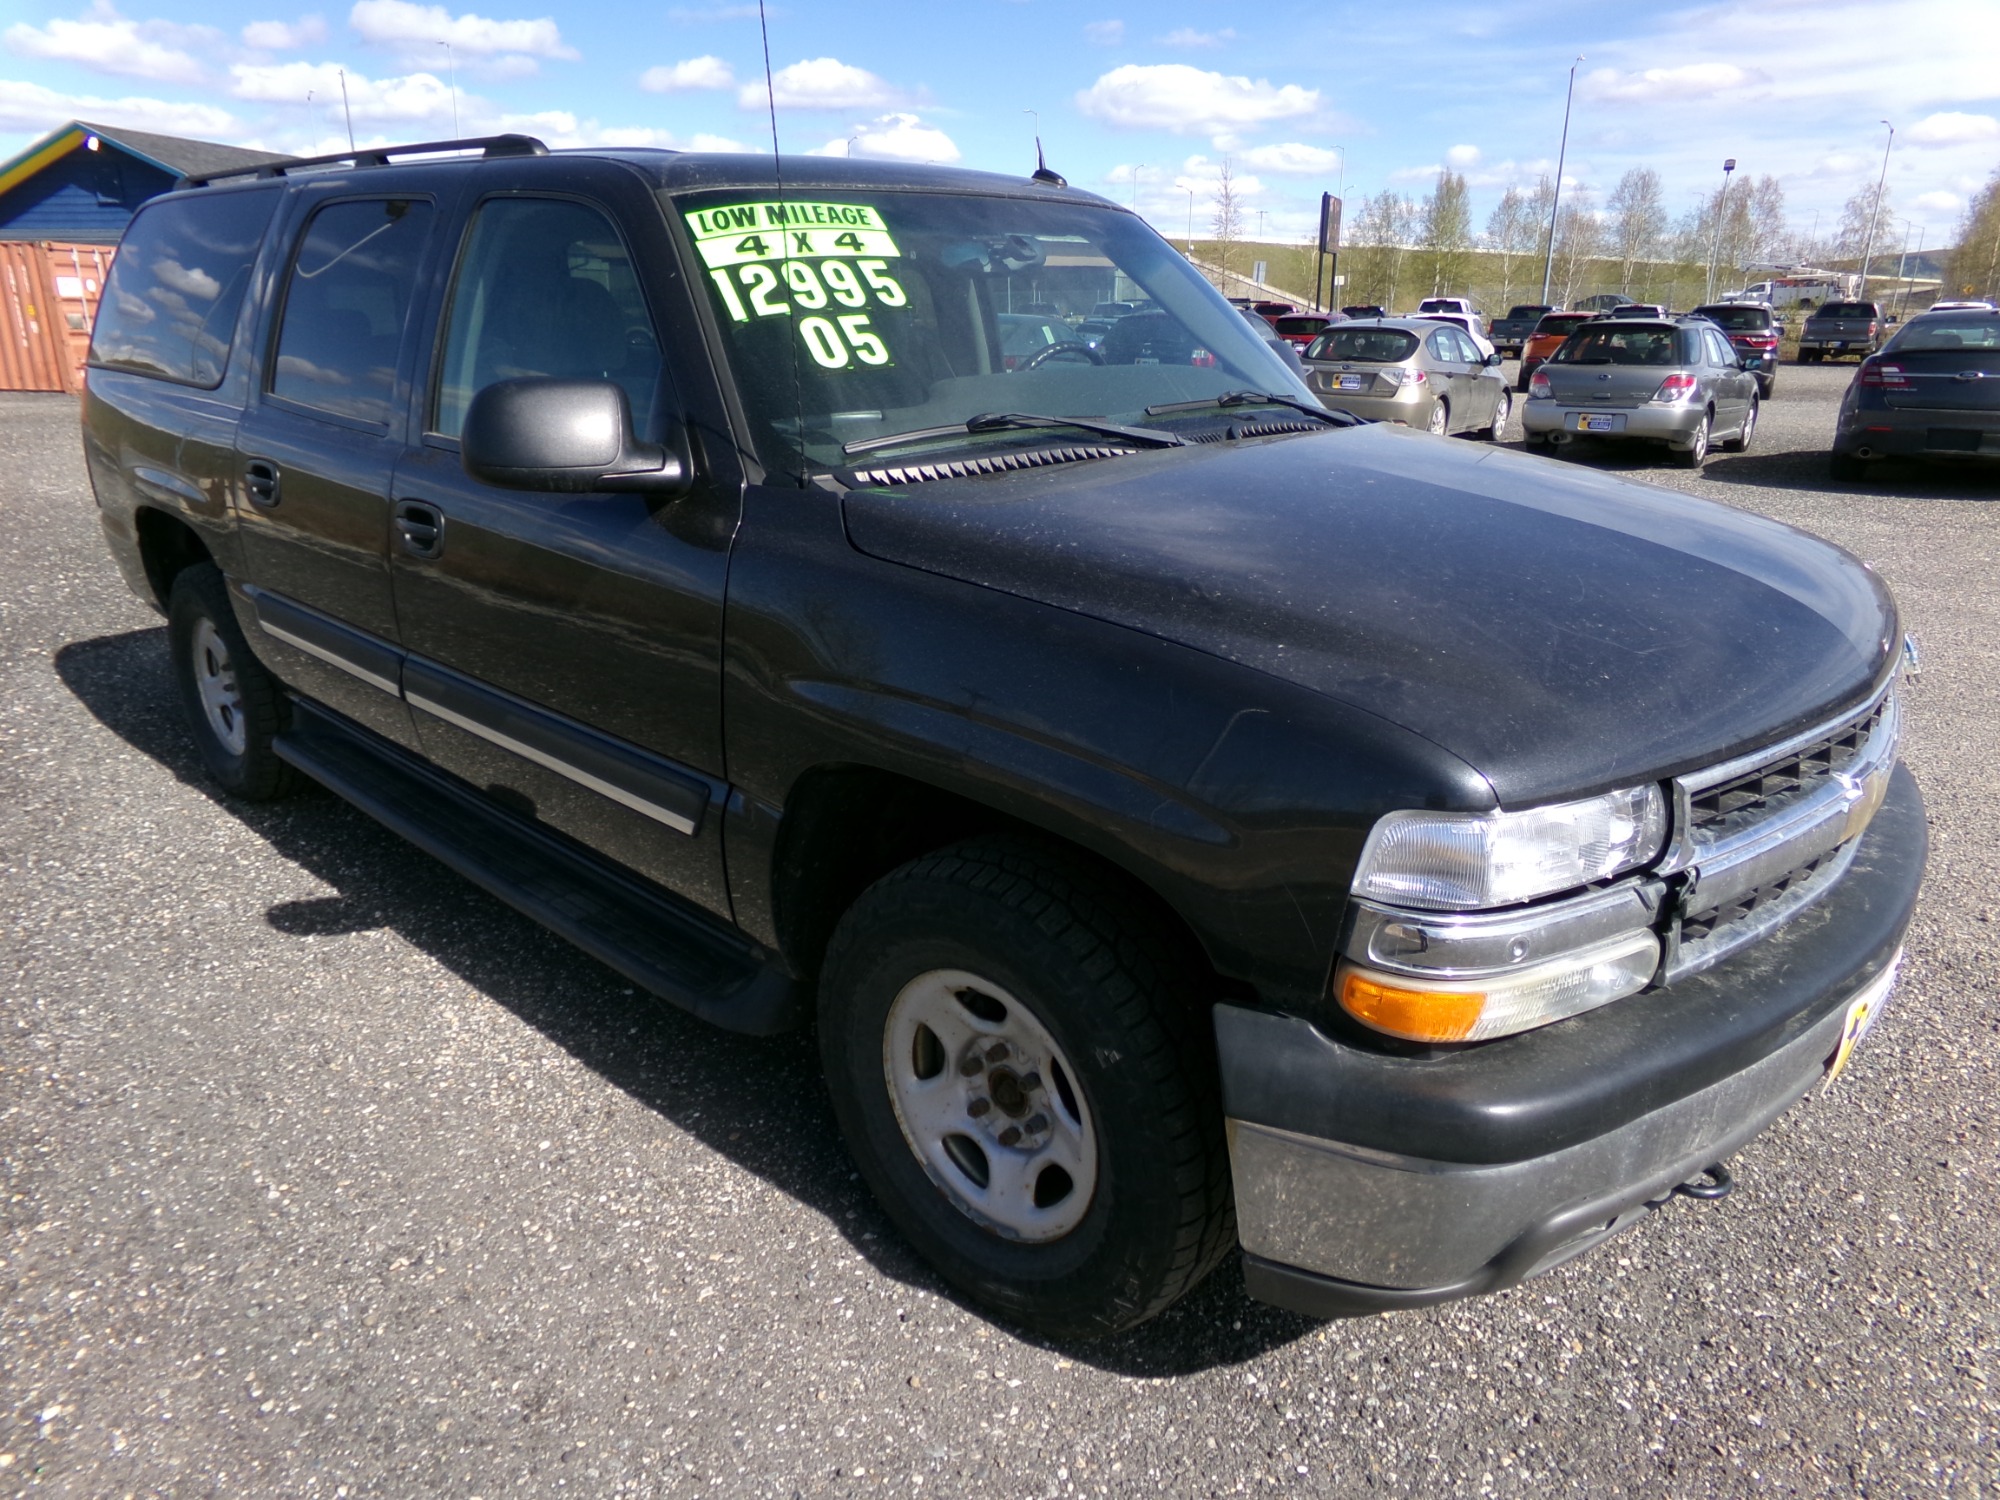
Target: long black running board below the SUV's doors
x,y
657,941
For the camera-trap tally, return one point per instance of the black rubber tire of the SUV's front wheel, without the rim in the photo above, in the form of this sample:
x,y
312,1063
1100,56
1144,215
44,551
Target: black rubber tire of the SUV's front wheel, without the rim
x,y
1115,987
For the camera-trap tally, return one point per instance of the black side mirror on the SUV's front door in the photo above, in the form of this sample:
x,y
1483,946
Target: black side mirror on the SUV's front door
x,y
565,437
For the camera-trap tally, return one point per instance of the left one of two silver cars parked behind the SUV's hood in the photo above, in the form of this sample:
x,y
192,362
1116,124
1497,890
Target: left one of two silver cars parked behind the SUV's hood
x,y
1413,371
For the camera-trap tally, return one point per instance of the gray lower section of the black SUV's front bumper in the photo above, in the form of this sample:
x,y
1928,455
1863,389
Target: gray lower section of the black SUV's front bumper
x,y
1381,1231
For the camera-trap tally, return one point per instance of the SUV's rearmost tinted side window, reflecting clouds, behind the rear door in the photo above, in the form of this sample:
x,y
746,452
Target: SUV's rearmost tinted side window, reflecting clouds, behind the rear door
x,y
177,285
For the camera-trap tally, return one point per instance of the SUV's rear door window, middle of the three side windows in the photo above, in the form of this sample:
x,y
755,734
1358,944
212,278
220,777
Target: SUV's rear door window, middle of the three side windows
x,y
345,305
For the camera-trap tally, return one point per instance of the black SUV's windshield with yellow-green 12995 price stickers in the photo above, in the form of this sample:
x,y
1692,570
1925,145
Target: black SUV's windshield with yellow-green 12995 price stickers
x,y
855,317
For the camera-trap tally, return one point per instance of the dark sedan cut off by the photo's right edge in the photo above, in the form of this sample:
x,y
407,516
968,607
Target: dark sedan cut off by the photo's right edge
x,y
1931,393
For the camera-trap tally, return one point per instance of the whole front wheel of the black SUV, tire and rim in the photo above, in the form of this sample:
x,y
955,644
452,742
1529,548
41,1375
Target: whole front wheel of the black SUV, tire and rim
x,y
1021,1067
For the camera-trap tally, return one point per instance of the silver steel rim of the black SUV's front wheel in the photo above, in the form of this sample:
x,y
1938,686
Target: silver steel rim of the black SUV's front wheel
x,y
991,1107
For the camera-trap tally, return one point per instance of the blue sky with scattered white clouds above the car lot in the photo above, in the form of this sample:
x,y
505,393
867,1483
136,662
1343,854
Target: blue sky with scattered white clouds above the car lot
x,y
1139,103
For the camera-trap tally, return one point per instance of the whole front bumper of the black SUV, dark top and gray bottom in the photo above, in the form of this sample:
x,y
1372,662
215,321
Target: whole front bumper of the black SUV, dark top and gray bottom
x,y
1369,1183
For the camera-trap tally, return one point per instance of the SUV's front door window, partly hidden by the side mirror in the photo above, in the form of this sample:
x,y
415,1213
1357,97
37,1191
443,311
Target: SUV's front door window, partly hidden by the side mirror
x,y
547,289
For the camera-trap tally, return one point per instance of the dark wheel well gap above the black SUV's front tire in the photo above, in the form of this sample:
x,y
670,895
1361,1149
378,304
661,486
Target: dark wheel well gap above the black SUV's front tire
x,y
847,827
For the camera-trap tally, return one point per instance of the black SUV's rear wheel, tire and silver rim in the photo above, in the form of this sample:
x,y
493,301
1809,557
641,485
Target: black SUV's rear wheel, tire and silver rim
x,y
233,705
